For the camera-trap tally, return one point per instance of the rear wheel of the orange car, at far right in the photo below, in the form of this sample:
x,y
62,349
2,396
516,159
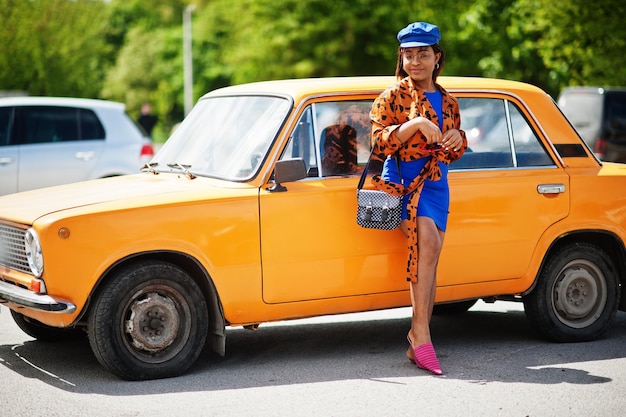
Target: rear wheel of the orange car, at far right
x,y
576,295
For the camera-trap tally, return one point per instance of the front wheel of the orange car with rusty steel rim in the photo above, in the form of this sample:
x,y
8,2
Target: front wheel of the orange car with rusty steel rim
x,y
149,321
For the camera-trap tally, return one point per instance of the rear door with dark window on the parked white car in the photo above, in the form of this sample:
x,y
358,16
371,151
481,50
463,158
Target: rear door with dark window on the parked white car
x,y
53,150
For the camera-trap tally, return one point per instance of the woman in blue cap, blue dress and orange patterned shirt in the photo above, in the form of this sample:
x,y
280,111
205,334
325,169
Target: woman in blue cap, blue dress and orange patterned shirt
x,y
418,121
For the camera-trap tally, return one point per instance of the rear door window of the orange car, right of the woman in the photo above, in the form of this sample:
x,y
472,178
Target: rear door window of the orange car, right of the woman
x,y
498,136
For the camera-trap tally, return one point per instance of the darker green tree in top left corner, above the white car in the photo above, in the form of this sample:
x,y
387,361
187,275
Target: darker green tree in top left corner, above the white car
x,y
52,47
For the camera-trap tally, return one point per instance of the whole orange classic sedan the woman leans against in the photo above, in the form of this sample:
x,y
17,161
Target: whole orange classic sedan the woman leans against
x,y
247,215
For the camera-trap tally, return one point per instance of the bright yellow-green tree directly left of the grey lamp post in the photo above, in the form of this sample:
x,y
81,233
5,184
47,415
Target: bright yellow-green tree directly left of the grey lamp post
x,y
145,41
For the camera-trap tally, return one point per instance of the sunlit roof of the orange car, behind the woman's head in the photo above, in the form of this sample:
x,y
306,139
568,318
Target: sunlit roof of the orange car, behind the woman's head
x,y
311,86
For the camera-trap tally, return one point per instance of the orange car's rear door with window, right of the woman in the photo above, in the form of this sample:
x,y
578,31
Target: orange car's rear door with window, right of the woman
x,y
505,192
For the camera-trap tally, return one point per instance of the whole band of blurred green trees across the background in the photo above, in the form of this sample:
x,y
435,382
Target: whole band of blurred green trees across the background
x,y
131,50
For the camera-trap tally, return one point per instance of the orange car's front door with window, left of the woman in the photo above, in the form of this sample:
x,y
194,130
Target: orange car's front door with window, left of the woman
x,y
311,246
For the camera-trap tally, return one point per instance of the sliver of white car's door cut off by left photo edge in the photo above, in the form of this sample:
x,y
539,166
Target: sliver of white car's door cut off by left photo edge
x,y
9,153
